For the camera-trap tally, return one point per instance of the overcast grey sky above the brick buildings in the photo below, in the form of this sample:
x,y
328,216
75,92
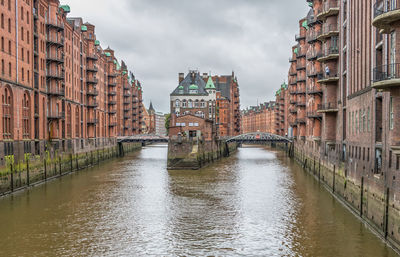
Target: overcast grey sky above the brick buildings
x,y
160,38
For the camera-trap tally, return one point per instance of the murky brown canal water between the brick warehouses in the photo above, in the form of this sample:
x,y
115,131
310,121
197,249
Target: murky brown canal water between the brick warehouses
x,y
254,203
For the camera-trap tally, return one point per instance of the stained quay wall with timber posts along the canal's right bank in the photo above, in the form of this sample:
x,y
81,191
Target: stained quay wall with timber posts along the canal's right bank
x,y
364,193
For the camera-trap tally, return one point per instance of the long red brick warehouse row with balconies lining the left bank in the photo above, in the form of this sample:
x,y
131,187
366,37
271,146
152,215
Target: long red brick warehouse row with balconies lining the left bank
x,y
60,90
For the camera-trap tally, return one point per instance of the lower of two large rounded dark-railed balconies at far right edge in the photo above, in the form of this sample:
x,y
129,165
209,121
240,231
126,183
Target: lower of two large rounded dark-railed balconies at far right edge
x,y
386,76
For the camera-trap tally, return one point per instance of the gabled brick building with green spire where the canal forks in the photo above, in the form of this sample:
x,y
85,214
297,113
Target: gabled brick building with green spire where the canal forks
x,y
214,99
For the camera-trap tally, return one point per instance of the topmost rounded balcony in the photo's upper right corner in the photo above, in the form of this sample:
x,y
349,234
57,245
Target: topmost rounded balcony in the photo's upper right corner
x,y
386,14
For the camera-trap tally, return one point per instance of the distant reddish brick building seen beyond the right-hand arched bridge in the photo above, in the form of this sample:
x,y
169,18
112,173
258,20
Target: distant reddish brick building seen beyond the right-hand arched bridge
x,y
262,118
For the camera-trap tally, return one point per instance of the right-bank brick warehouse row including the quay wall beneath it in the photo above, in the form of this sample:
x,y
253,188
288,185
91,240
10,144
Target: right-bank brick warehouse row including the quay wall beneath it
x,y
344,104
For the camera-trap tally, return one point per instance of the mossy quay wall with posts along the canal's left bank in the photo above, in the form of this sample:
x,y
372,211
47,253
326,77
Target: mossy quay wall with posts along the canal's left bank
x,y
17,175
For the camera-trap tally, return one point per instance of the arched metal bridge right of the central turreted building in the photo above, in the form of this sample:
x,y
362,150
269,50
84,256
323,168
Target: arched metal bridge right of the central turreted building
x,y
259,138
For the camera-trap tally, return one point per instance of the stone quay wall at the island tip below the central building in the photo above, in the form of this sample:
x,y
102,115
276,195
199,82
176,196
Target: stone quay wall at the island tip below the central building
x,y
195,154
